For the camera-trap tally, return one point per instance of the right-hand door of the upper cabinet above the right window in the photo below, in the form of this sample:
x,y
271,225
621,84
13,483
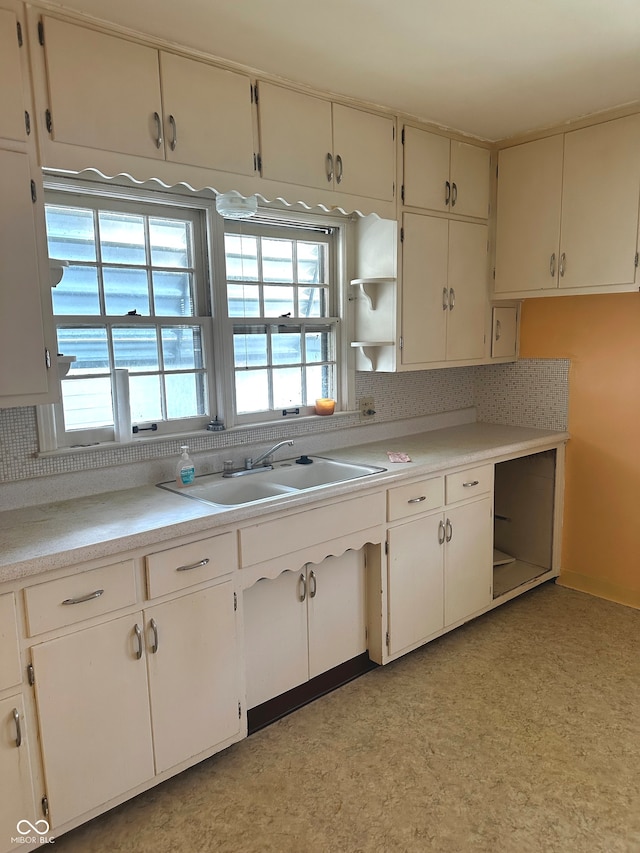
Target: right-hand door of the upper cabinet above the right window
x,y
364,153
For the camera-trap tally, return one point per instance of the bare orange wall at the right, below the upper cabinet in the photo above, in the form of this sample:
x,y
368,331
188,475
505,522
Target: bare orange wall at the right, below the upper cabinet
x,y
601,336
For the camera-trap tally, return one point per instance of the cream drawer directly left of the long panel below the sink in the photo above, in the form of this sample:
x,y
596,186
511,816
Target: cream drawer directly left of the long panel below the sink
x,y
186,565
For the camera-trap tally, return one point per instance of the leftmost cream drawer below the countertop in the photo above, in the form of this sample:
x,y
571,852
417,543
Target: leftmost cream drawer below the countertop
x,y
56,604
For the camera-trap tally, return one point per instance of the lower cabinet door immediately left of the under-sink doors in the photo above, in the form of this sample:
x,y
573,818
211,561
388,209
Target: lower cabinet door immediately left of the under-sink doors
x,y
193,673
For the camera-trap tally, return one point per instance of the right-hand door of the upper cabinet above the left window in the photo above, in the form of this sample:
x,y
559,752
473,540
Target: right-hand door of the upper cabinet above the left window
x,y
207,115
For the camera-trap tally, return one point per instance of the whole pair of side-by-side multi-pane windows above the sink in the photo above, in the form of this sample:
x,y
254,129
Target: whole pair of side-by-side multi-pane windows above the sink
x,y
135,306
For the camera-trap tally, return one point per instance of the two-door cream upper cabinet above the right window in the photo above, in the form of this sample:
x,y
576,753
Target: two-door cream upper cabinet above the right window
x,y
309,141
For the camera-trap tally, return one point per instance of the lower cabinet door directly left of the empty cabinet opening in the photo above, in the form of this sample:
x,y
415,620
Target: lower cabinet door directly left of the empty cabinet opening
x,y
468,560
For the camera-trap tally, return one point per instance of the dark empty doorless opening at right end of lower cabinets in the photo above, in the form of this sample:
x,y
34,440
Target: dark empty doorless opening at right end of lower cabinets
x,y
523,520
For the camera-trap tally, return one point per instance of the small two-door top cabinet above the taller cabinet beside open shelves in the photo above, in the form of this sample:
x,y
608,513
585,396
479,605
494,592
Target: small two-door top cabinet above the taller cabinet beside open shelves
x,y
445,175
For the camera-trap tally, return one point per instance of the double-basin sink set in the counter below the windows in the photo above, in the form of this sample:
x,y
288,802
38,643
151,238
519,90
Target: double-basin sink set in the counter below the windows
x,y
285,478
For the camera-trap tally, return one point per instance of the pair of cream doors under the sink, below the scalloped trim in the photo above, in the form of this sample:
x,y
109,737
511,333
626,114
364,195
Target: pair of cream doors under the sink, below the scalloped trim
x,y
303,623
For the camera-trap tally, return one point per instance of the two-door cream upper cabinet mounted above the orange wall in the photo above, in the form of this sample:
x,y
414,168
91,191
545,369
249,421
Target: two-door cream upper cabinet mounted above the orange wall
x,y
568,212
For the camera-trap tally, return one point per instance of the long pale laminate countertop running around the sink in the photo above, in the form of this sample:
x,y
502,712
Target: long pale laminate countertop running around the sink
x,y
56,535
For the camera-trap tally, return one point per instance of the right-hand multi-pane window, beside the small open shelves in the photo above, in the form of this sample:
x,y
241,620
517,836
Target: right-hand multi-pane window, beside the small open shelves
x,y
282,313
